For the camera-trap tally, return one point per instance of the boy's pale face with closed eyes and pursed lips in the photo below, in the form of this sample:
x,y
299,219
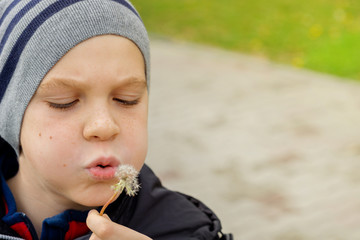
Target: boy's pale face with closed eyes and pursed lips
x,y
88,116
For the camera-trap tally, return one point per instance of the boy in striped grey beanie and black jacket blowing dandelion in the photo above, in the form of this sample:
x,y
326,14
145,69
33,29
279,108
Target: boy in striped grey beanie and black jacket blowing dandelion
x,y
74,78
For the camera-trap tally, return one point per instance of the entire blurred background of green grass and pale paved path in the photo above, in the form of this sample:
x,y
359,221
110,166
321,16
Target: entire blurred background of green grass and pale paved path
x,y
254,109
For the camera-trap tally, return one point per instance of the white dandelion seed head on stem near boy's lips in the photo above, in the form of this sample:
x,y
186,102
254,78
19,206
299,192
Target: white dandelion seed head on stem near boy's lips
x,y
127,176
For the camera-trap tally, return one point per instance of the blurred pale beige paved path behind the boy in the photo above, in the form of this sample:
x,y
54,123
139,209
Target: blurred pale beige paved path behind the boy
x,y
275,151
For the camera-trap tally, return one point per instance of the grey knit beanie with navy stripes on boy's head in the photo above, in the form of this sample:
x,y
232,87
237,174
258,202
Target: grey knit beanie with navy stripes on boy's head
x,y
35,34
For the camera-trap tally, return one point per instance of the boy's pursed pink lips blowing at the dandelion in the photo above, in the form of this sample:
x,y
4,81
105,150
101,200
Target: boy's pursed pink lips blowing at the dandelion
x,y
103,168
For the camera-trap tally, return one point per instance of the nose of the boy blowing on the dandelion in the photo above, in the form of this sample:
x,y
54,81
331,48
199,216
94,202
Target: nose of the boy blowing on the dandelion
x,y
100,126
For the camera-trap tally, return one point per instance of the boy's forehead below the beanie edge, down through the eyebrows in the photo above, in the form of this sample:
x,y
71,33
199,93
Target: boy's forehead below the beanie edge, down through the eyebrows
x,y
101,59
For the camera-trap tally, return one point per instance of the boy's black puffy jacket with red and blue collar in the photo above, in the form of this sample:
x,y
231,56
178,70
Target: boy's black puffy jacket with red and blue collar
x,y
156,212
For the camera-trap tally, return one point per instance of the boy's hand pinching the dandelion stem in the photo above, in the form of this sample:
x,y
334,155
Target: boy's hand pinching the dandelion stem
x,y
104,229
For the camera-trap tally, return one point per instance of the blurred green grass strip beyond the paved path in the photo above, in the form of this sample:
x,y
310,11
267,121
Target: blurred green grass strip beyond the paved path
x,y
323,35
